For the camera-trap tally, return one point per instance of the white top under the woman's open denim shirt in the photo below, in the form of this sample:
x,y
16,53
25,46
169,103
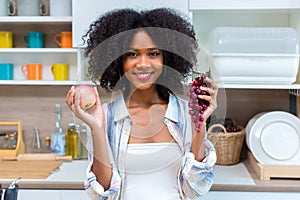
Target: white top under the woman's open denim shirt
x,y
151,172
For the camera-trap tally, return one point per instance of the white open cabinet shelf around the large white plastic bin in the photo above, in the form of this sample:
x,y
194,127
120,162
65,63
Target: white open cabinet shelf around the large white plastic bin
x,y
207,15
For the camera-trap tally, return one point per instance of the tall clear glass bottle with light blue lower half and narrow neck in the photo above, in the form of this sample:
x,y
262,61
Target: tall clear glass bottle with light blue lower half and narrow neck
x,y
58,137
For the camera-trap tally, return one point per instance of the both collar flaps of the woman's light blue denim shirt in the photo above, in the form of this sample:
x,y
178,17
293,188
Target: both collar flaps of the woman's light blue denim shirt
x,y
121,110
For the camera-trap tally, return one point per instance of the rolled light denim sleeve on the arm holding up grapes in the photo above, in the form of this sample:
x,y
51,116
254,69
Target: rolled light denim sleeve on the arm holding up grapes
x,y
197,177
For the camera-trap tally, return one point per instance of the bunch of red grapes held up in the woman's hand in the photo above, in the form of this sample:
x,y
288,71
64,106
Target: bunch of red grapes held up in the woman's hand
x,y
197,106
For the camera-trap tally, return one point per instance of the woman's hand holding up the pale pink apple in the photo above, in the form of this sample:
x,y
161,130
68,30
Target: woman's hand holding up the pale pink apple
x,y
94,117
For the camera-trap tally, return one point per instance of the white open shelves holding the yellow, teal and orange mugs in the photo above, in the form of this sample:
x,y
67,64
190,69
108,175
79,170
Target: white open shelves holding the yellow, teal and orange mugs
x,y
51,53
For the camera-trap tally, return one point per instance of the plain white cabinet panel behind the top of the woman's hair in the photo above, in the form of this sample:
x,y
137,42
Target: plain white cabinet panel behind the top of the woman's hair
x,y
85,12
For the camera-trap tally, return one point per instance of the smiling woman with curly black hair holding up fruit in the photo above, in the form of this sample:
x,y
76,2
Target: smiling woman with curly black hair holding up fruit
x,y
144,145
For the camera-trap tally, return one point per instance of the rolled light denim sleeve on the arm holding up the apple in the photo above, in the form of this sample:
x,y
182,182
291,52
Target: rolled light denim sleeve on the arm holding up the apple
x,y
96,191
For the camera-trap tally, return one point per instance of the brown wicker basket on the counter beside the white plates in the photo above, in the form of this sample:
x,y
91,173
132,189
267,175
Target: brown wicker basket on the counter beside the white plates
x,y
228,145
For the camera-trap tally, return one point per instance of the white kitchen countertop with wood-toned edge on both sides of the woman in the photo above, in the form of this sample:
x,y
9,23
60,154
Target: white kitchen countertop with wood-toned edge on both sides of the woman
x,y
238,177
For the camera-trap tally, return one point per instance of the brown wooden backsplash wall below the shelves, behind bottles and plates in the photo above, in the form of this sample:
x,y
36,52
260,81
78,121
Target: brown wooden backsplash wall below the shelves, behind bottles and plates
x,y
34,105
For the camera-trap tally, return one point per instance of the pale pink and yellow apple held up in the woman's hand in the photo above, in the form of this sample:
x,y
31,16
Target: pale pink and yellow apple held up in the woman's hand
x,y
87,96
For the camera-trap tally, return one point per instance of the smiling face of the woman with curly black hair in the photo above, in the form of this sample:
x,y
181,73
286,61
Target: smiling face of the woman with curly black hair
x,y
143,62
